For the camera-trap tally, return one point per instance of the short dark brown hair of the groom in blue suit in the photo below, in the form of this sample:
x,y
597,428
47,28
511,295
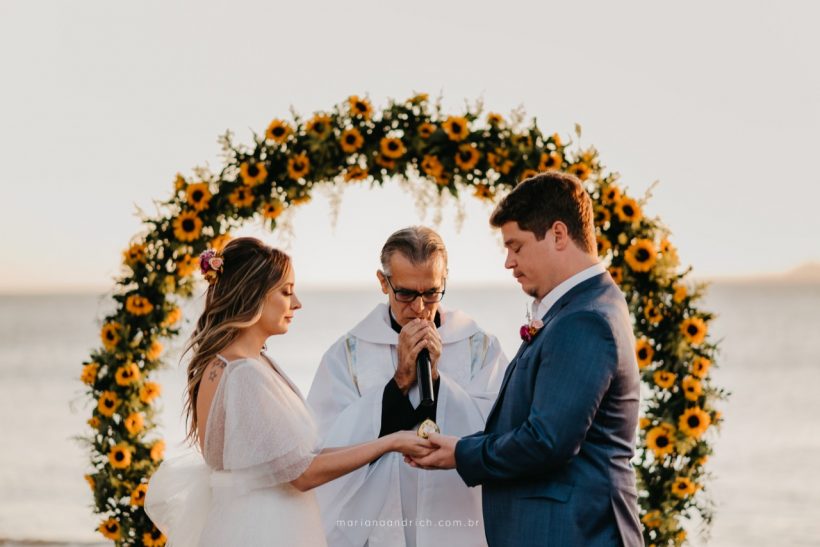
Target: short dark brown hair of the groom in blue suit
x,y
540,201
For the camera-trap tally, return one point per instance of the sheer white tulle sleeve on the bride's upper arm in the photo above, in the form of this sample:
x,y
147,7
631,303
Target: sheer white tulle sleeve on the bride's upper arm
x,y
267,425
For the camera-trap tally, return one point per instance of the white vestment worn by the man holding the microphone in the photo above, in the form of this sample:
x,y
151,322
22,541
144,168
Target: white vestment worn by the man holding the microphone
x,y
376,504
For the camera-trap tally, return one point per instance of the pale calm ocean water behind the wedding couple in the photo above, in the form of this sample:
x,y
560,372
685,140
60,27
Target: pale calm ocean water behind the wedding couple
x,y
766,484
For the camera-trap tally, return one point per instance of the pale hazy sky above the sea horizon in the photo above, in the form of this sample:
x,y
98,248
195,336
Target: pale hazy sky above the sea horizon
x,y
102,103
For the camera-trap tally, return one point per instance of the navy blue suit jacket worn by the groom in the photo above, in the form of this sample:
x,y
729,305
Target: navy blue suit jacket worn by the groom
x,y
554,458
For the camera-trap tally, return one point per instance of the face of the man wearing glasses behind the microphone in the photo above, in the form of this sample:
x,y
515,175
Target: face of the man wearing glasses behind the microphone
x,y
404,275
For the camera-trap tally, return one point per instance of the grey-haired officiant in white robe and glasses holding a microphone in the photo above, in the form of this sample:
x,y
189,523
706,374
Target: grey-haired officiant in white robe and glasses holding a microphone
x,y
367,386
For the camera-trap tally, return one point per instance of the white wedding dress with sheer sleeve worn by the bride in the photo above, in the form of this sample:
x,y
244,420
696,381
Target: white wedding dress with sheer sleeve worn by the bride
x,y
259,437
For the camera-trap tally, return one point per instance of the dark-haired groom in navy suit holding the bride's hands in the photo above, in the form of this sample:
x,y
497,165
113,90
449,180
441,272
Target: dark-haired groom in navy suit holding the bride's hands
x,y
554,457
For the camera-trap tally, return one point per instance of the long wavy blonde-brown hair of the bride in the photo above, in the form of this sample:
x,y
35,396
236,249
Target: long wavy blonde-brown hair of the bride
x,y
233,302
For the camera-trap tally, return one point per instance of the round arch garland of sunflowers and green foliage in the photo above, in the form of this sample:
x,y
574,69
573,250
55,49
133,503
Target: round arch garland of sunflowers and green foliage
x,y
484,154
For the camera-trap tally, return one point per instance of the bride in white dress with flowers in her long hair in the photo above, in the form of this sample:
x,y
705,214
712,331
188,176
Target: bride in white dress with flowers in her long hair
x,y
256,435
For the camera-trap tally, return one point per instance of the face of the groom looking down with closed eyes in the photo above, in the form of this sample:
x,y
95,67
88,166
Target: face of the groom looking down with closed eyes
x,y
531,260
